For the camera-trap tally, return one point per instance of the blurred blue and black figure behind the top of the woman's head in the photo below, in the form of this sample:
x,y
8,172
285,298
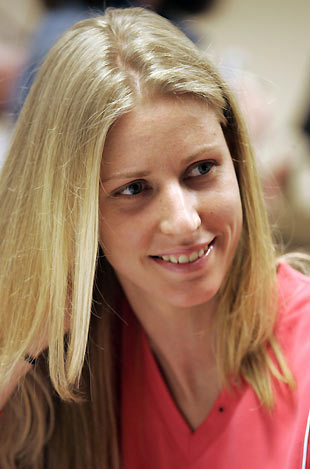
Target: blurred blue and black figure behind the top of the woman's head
x,y
61,14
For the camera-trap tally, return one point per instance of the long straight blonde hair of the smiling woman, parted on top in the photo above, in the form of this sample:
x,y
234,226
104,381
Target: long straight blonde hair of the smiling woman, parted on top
x,y
98,71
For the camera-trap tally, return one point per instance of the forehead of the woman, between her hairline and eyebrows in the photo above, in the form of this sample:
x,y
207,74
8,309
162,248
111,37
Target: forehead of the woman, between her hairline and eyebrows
x,y
163,125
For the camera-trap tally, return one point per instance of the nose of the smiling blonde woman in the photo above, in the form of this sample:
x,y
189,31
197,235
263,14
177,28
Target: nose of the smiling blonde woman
x,y
178,212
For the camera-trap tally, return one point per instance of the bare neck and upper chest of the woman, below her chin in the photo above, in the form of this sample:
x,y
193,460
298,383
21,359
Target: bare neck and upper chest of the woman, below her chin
x,y
182,340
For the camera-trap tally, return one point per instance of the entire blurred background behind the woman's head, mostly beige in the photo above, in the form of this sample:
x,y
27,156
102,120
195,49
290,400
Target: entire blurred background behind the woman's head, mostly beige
x,y
261,48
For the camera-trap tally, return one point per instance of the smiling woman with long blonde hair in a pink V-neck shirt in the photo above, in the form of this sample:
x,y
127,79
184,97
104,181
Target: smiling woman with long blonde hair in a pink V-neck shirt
x,y
178,328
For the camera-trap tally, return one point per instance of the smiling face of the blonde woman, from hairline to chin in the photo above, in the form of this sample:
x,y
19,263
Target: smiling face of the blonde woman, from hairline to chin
x,y
170,209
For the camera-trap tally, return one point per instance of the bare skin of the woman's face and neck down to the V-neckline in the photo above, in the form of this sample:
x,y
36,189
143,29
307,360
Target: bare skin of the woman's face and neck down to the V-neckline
x,y
169,187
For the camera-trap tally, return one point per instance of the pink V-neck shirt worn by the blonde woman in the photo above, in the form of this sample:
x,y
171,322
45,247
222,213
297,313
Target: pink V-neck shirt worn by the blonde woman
x,y
238,433
